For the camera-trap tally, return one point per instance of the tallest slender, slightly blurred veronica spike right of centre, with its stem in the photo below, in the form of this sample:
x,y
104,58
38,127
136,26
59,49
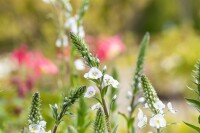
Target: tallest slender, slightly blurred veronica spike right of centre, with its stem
x,y
136,86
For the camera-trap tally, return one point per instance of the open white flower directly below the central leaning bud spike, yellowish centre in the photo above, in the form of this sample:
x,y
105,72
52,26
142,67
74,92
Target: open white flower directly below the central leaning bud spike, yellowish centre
x,y
94,73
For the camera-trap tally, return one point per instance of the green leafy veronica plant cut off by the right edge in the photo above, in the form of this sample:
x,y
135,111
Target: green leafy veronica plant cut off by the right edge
x,y
195,102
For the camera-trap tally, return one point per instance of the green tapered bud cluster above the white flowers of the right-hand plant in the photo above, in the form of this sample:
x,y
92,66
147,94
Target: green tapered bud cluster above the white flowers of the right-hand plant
x,y
149,93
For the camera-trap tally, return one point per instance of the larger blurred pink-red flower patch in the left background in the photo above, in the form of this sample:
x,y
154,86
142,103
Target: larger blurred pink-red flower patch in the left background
x,y
34,61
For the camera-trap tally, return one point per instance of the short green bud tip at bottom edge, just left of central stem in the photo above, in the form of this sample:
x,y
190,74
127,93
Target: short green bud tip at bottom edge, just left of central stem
x,y
99,124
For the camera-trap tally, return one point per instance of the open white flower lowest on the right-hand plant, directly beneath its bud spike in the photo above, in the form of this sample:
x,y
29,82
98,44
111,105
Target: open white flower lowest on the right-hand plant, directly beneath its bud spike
x,y
157,121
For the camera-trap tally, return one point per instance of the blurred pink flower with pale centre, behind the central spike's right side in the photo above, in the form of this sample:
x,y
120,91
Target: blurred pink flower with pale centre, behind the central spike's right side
x,y
109,48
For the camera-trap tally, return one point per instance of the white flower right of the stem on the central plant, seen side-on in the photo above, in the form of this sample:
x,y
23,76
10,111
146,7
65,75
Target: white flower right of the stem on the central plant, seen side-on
x,y
108,80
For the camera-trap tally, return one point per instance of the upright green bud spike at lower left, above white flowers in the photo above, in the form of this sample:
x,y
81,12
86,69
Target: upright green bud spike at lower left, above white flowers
x,y
35,115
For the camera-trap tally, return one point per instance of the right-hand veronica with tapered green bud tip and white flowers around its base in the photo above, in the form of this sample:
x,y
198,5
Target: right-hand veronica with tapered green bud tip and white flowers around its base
x,y
155,105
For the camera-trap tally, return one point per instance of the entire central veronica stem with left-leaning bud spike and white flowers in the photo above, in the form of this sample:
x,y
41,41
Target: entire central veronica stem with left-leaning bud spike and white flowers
x,y
102,80
